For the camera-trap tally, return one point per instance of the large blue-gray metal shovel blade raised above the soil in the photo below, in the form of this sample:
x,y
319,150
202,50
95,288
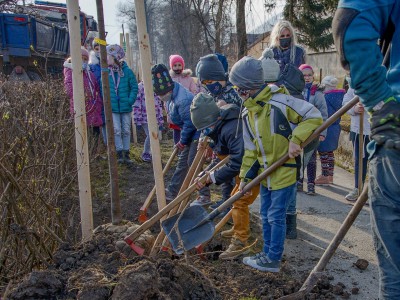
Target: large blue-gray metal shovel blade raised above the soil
x,y
190,218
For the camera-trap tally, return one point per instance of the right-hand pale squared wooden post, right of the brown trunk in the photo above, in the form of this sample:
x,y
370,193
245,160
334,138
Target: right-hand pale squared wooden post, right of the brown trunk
x,y
145,59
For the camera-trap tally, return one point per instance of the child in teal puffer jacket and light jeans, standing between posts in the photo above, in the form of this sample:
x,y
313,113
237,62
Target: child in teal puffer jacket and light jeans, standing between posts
x,y
123,92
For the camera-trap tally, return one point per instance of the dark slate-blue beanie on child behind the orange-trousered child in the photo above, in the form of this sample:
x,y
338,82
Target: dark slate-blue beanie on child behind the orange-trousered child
x,y
209,67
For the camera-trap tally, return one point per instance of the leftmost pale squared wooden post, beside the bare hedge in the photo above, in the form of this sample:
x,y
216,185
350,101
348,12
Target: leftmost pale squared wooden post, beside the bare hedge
x,y
82,152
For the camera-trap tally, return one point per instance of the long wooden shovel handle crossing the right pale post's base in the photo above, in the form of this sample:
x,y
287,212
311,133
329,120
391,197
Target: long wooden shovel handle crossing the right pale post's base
x,y
146,225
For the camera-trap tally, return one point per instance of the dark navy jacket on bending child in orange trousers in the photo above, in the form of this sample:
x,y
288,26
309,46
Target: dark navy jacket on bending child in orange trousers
x,y
228,142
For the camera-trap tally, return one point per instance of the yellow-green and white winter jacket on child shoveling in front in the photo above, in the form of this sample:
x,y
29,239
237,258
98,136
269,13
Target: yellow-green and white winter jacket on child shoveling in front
x,y
268,120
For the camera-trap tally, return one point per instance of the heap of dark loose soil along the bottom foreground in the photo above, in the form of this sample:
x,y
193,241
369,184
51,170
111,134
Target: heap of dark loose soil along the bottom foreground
x,y
96,270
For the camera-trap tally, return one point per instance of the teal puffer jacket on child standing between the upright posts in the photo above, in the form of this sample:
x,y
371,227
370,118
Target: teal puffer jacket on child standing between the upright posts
x,y
127,90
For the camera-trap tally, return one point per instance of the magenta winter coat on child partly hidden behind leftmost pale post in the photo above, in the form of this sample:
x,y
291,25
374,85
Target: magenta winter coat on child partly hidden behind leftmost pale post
x,y
93,100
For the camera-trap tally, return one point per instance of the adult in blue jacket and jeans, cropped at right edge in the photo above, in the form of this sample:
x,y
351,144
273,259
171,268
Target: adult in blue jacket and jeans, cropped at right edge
x,y
358,26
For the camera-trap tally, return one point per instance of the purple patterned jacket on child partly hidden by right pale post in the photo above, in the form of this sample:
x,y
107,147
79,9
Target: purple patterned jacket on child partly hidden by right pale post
x,y
139,108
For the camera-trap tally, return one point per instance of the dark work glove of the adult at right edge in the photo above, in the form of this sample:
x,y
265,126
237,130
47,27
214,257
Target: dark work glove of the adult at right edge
x,y
385,125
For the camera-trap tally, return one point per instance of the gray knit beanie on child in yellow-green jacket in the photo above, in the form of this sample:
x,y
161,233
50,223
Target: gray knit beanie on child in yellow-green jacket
x,y
247,74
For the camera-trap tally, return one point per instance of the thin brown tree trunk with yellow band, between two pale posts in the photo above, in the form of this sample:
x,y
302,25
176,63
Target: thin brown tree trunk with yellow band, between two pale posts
x,y
112,159
